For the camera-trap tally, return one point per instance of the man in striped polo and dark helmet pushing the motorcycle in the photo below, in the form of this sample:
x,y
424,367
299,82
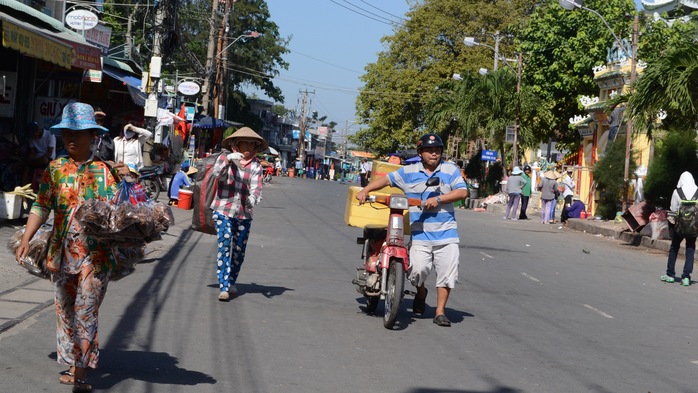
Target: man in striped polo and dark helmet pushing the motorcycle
x,y
434,230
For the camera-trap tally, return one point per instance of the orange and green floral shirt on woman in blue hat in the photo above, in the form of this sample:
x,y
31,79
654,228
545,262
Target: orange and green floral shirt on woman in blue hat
x,y
64,186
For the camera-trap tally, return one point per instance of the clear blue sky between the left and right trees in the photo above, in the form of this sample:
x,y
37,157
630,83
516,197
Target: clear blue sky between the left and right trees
x,y
331,43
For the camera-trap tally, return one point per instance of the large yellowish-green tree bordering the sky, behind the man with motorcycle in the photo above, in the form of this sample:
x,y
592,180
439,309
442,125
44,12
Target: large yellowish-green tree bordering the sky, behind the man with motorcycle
x,y
423,53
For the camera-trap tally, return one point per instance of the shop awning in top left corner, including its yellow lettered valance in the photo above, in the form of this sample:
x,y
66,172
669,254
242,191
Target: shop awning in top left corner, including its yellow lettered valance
x,y
48,40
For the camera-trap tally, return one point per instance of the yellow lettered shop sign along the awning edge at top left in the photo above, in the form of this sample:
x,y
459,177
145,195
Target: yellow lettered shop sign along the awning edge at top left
x,y
35,45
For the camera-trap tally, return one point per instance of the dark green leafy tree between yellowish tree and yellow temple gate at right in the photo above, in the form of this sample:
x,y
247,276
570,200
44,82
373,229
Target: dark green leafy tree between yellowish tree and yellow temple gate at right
x,y
561,48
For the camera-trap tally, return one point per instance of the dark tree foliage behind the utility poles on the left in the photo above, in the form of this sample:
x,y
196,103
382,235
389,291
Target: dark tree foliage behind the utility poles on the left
x,y
186,34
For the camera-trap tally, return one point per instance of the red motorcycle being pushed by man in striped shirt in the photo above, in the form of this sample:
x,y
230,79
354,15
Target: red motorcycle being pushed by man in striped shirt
x,y
386,257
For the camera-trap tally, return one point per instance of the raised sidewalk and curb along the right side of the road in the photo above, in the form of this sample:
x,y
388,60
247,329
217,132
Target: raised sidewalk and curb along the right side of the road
x,y
604,228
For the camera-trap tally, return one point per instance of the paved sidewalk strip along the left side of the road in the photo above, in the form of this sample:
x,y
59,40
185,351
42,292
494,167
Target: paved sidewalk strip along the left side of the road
x,y
23,295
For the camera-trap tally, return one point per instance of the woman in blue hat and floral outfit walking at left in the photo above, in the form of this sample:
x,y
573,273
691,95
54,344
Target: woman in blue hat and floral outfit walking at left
x,y
80,265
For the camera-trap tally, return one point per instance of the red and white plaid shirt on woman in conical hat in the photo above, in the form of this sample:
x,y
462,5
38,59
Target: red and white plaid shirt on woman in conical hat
x,y
241,187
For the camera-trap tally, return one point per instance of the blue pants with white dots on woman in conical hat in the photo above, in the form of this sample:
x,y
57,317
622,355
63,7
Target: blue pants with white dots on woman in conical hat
x,y
232,241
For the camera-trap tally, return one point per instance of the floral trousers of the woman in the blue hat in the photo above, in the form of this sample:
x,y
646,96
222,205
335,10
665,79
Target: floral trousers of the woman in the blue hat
x,y
77,299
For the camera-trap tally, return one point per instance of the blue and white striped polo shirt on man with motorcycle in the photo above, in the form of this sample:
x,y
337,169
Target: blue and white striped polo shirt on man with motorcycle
x,y
434,226
